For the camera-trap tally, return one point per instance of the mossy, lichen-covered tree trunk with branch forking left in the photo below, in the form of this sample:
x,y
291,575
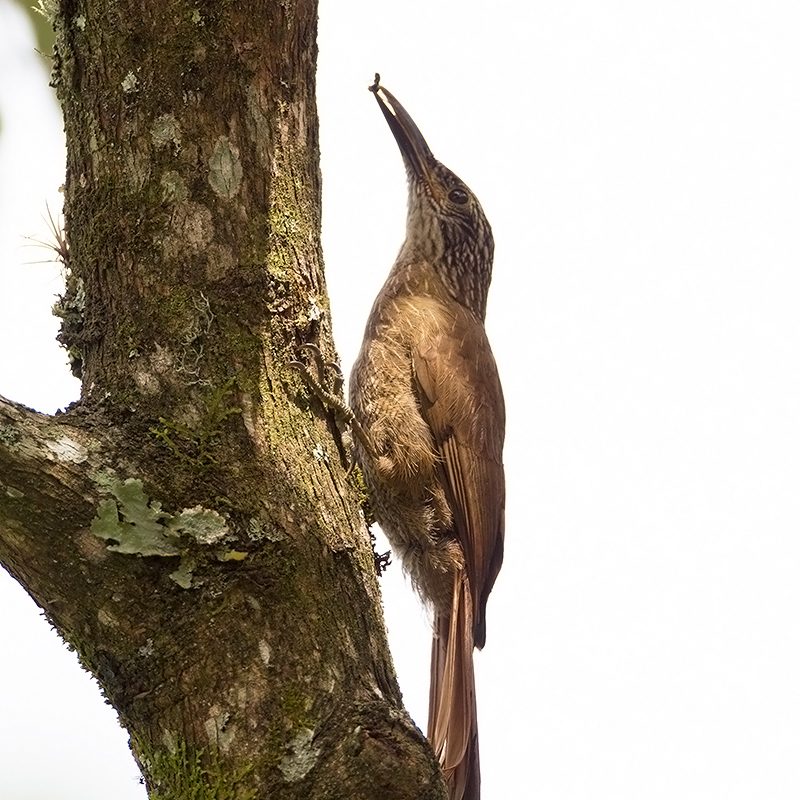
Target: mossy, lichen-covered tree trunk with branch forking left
x,y
188,526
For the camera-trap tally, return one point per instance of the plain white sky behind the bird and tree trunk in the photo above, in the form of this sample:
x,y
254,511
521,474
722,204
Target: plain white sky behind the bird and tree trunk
x,y
639,165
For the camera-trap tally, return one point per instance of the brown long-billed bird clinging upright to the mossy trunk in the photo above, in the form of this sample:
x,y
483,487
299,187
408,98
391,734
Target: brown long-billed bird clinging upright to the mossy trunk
x,y
430,419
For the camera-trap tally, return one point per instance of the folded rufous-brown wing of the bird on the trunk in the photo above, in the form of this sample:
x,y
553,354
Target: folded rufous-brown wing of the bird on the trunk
x,y
462,401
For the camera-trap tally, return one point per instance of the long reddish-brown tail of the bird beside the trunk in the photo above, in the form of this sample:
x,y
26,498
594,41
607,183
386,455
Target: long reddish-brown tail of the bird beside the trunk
x,y
452,711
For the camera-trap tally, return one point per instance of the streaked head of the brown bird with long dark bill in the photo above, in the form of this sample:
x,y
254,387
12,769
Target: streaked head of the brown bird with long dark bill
x,y
446,224
